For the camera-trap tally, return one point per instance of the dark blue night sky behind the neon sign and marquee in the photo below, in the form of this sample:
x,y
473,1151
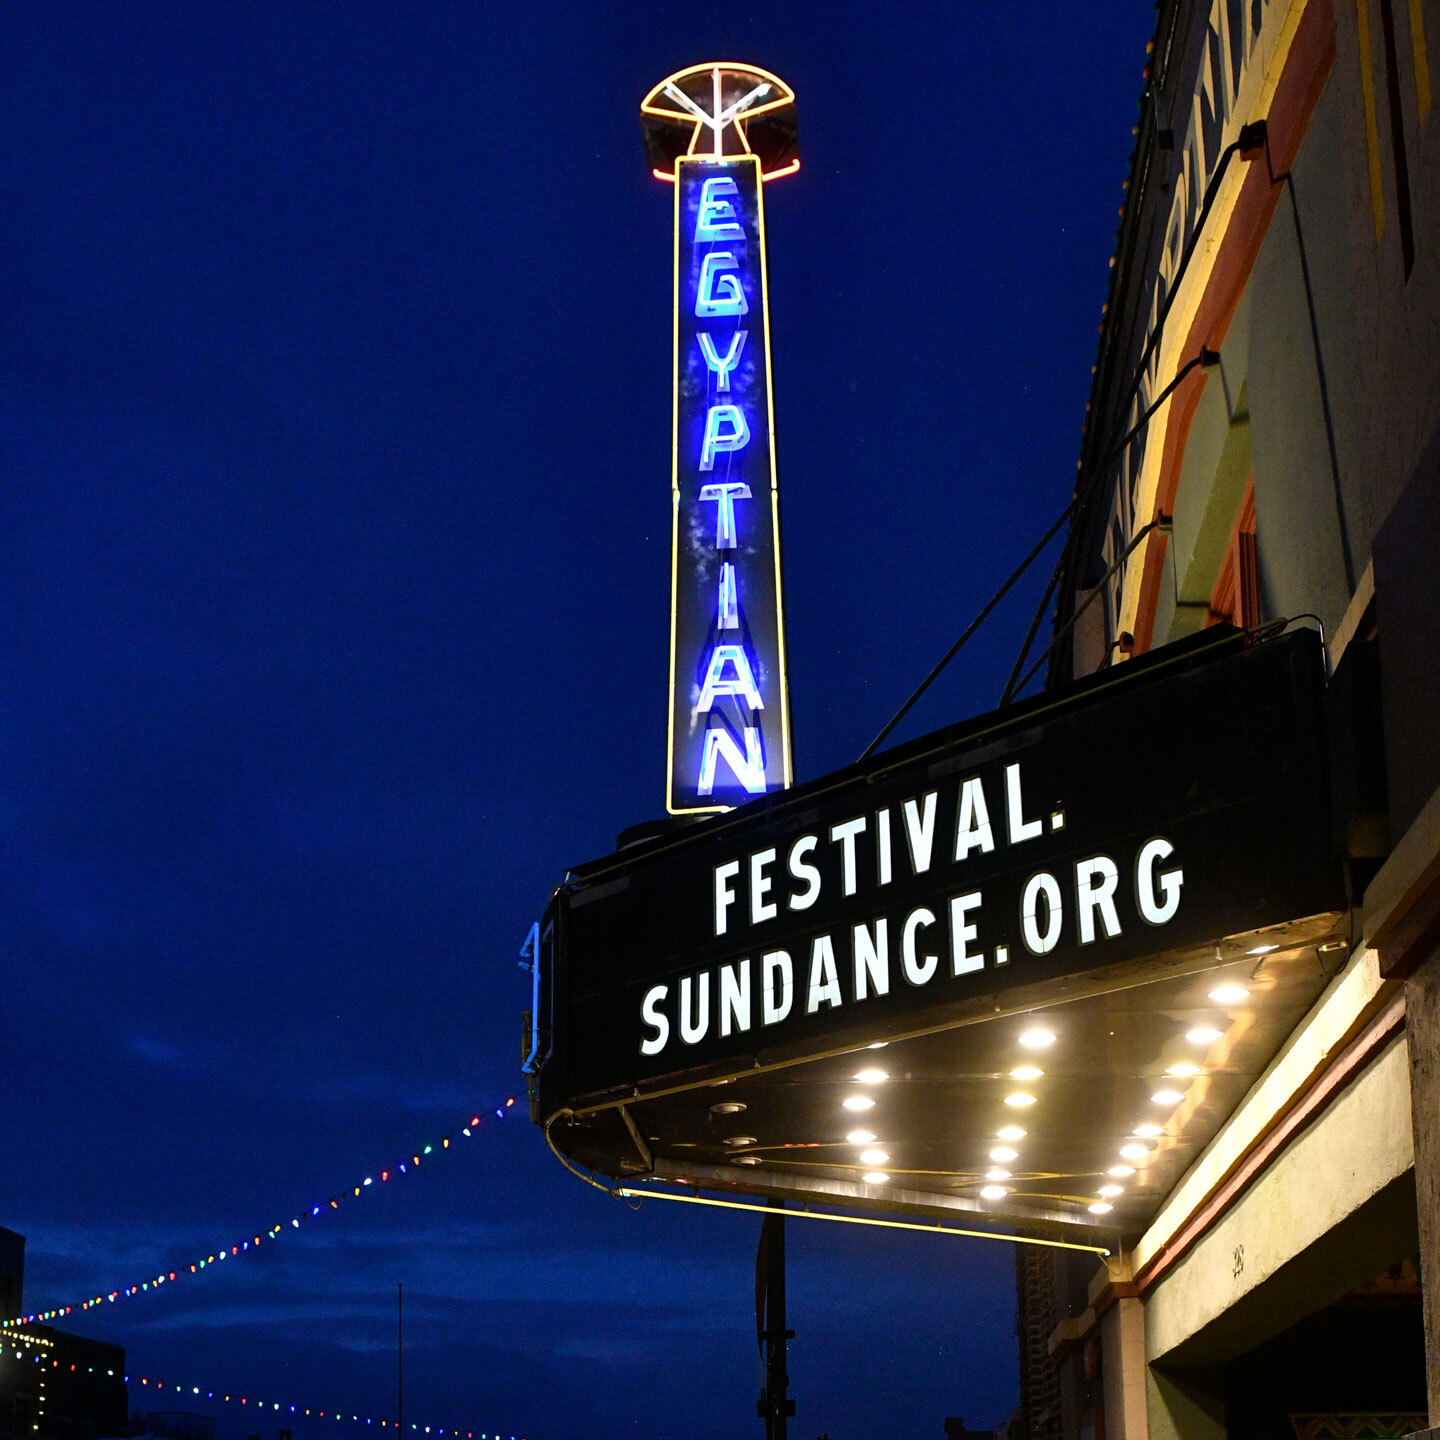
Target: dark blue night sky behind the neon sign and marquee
x,y
333,627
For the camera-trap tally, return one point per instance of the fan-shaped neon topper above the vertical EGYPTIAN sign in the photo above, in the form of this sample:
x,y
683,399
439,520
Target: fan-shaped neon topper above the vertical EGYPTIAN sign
x,y
722,110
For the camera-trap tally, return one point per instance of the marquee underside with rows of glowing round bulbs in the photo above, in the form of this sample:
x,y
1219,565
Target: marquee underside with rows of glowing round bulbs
x,y
941,1110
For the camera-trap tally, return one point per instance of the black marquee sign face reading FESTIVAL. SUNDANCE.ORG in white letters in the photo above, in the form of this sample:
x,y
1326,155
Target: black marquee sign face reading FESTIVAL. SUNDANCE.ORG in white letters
x,y
1066,846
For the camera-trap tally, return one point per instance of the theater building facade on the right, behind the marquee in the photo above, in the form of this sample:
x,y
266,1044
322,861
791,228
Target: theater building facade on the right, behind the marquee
x,y
1264,447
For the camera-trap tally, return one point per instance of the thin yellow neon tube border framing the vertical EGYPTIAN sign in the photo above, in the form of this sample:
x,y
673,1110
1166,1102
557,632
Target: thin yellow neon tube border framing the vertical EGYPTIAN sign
x,y
675,490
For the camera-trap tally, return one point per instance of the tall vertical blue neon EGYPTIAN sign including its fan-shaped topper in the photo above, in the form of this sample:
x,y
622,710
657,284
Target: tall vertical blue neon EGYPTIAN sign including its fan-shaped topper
x,y
718,133
